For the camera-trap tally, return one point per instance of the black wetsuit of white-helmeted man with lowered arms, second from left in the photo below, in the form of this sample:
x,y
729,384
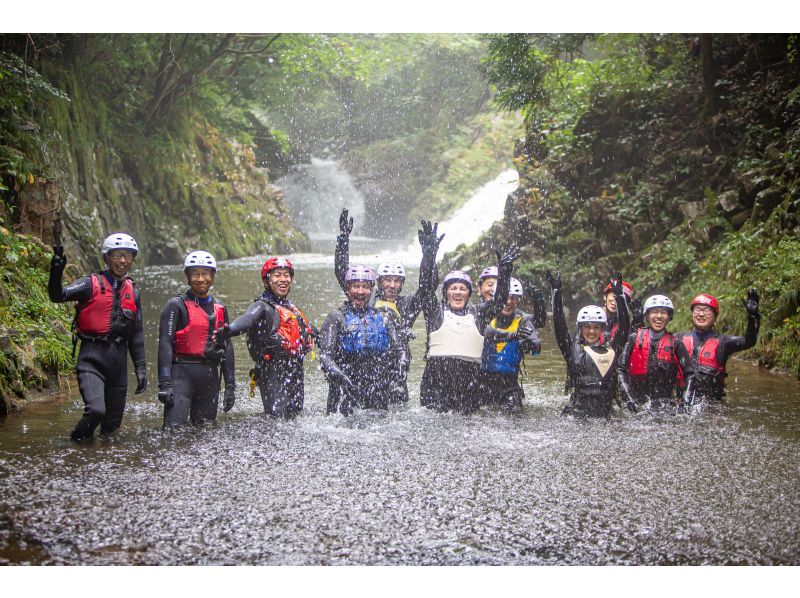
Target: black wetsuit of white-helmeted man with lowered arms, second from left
x,y
194,381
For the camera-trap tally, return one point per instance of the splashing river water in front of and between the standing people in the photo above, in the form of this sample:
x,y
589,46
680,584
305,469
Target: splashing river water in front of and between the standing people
x,y
409,486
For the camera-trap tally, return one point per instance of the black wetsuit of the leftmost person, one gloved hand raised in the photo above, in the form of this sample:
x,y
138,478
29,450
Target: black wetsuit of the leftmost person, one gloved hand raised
x,y
102,362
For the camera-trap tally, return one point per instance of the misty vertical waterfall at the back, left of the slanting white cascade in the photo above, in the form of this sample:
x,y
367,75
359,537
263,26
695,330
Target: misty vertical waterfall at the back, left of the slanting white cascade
x,y
316,193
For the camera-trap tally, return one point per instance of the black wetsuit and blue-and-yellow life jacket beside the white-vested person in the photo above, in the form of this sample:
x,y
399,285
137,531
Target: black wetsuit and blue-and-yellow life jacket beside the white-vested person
x,y
499,385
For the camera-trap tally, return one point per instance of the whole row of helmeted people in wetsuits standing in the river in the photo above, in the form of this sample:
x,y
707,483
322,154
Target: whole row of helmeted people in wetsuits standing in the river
x,y
619,352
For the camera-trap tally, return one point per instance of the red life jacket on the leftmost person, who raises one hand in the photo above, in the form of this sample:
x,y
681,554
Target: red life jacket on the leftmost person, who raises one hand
x,y
93,317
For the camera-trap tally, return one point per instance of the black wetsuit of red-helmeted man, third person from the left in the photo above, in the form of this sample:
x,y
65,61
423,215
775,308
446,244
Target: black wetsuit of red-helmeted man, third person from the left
x,y
280,375
